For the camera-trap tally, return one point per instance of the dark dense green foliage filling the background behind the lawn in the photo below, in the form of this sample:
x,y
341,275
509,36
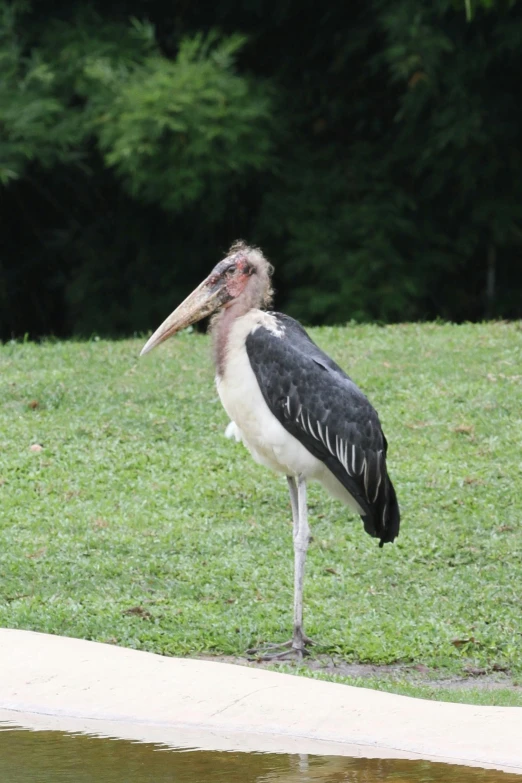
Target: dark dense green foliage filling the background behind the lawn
x,y
373,149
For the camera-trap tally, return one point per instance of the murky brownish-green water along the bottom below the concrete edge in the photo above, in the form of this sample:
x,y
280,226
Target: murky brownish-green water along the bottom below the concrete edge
x,y
56,757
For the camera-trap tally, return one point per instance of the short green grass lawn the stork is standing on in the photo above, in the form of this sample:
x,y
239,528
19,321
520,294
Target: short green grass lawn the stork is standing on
x,y
140,524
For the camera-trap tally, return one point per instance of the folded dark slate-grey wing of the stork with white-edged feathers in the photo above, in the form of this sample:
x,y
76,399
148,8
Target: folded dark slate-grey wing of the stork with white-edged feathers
x,y
321,406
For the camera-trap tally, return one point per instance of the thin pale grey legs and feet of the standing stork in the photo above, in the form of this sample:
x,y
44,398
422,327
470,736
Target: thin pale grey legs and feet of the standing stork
x,y
301,536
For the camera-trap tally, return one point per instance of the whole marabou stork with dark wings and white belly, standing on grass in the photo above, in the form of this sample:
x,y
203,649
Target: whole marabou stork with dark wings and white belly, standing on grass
x,y
296,411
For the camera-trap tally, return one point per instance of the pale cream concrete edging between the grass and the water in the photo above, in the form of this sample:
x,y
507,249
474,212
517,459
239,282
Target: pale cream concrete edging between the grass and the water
x,y
52,682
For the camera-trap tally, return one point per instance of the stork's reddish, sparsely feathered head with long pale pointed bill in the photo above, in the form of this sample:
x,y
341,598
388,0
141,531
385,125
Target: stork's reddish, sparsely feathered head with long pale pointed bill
x,y
242,279
